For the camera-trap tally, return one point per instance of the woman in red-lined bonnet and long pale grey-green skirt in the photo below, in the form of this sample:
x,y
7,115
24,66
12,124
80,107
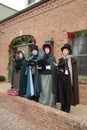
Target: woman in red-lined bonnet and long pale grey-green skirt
x,y
47,77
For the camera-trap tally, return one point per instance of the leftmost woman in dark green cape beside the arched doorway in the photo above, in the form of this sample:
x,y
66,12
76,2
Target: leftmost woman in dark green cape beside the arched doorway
x,y
18,77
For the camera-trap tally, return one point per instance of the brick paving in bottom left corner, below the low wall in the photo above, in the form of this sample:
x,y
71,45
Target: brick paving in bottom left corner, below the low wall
x,y
12,121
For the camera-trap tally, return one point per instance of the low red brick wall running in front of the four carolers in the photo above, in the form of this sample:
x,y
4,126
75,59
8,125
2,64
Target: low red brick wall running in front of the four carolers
x,y
44,117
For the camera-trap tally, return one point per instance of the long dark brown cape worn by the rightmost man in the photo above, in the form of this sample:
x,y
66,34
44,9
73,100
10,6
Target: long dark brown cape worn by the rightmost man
x,y
73,92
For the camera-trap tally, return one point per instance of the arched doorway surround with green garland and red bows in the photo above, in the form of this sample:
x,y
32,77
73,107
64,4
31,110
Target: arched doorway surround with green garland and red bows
x,y
17,43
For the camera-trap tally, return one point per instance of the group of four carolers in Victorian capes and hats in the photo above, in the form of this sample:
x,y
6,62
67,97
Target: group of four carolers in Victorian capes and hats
x,y
42,80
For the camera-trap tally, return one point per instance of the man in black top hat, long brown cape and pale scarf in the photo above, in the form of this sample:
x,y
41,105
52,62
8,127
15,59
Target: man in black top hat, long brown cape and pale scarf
x,y
68,93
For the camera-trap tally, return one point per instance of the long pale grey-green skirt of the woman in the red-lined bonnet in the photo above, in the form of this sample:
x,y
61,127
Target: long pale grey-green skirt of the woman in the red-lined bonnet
x,y
46,95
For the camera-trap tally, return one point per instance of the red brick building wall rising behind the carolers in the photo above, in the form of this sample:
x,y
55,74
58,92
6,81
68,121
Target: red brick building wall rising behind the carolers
x,y
43,20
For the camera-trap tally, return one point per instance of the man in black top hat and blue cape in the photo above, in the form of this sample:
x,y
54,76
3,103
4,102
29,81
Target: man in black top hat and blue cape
x,y
32,74
